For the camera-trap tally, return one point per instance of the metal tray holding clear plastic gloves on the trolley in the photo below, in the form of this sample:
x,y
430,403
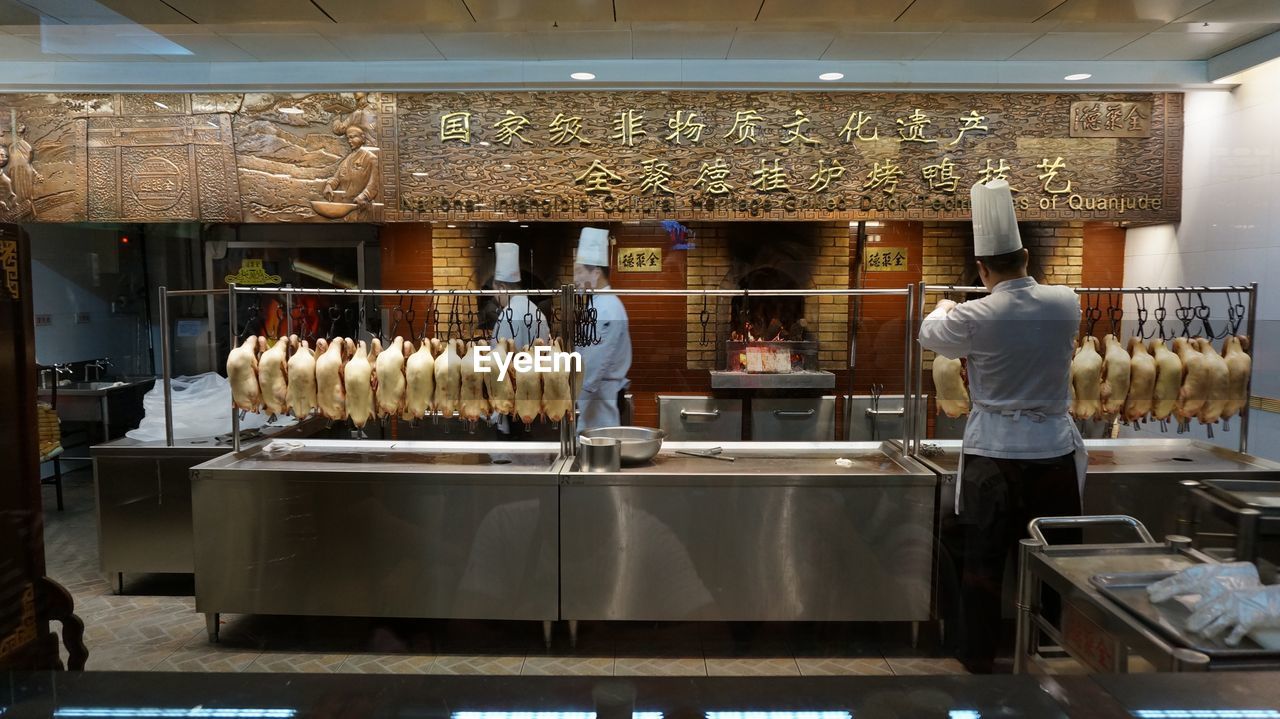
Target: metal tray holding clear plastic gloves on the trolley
x,y
1130,590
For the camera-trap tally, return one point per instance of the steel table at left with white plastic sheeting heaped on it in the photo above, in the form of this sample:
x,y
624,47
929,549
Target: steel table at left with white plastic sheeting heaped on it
x,y
144,500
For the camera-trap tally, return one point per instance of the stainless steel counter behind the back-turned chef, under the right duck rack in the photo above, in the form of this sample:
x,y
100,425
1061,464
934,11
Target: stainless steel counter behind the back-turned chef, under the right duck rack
x,y
1139,478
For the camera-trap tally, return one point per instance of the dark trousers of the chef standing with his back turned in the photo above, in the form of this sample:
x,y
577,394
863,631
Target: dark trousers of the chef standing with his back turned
x,y
1000,498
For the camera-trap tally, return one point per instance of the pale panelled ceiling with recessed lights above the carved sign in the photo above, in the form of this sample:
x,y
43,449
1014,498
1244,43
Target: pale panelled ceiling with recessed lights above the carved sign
x,y
45,39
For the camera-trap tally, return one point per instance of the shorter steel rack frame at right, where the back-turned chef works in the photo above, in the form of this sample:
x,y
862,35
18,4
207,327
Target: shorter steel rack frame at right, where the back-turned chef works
x,y
920,420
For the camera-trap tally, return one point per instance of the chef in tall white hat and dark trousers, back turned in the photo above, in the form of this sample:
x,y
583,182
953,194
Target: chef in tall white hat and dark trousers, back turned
x,y
1023,456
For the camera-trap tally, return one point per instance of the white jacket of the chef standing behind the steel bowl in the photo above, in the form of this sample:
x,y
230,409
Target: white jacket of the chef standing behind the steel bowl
x,y
605,367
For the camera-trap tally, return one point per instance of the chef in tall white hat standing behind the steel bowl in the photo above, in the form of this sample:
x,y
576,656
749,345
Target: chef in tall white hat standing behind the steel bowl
x,y
605,365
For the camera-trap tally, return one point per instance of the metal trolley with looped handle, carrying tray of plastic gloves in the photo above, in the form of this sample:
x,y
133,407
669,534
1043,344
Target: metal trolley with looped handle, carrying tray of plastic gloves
x,y
1108,622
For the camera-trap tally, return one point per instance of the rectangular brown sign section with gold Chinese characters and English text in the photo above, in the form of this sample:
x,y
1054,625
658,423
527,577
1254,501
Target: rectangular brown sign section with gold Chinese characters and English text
x,y
792,155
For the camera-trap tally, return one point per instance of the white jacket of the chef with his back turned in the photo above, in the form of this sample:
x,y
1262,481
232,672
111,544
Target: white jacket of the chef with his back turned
x,y
1018,342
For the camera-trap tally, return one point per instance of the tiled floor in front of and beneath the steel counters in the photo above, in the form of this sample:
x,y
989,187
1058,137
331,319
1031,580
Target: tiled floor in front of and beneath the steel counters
x,y
156,628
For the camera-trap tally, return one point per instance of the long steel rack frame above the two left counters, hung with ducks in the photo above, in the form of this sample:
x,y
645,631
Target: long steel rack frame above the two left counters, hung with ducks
x,y
568,294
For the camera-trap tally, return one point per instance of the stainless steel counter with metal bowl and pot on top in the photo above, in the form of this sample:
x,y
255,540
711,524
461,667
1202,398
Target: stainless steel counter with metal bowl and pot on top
x,y
781,534
